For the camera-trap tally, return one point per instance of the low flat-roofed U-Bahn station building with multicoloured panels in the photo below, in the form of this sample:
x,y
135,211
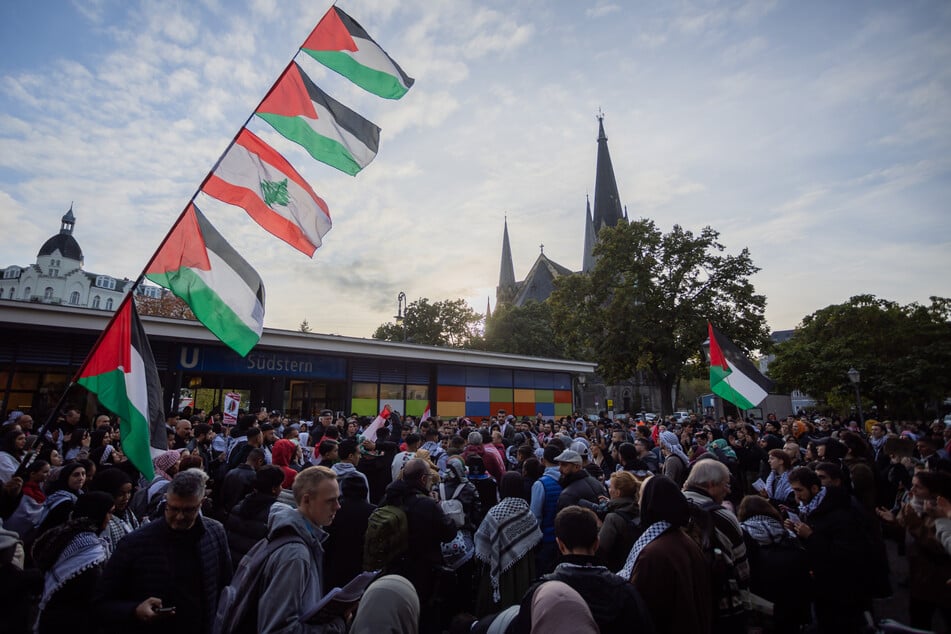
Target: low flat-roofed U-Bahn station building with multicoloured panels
x,y
42,346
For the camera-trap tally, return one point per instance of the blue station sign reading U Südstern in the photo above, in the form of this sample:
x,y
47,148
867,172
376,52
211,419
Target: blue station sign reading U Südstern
x,y
263,362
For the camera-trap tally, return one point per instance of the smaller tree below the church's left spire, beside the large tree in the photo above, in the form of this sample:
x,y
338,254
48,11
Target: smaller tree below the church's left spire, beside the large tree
x,y
523,330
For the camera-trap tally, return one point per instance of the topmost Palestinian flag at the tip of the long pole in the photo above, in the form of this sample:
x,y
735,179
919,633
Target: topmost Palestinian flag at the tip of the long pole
x,y
340,44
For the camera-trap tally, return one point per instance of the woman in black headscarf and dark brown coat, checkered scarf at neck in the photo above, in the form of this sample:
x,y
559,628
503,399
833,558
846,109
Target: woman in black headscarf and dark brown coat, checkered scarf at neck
x,y
666,565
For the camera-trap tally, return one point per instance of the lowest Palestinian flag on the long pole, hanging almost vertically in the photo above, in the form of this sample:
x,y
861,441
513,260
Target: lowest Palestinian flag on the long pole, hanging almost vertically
x,y
121,372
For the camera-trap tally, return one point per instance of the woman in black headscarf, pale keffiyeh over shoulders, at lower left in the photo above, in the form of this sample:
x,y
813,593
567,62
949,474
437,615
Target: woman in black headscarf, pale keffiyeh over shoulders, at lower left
x,y
72,556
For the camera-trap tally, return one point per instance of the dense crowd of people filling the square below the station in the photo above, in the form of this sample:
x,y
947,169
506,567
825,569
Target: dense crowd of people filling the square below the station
x,y
587,524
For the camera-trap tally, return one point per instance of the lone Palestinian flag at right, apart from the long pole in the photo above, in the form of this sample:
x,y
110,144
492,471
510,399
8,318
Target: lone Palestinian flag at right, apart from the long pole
x,y
733,377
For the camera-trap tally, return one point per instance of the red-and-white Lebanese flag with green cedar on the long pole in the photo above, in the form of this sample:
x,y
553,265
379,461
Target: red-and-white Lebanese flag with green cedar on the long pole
x,y
253,176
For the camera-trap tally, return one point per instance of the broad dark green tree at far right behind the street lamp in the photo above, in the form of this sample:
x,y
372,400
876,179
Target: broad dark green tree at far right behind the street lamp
x,y
902,353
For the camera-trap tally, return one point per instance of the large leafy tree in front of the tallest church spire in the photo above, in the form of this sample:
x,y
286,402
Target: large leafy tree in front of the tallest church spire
x,y
646,304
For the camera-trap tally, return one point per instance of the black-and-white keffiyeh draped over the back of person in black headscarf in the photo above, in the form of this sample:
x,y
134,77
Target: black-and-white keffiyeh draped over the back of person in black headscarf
x,y
508,532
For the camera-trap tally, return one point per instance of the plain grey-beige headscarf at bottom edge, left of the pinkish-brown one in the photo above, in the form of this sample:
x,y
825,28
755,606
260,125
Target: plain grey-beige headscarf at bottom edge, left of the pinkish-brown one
x,y
389,606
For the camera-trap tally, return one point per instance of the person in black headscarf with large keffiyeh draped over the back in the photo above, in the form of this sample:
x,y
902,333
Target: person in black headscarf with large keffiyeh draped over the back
x,y
505,544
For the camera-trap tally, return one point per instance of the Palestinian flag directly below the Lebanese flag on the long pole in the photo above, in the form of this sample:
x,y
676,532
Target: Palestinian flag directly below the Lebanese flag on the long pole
x,y
221,288
